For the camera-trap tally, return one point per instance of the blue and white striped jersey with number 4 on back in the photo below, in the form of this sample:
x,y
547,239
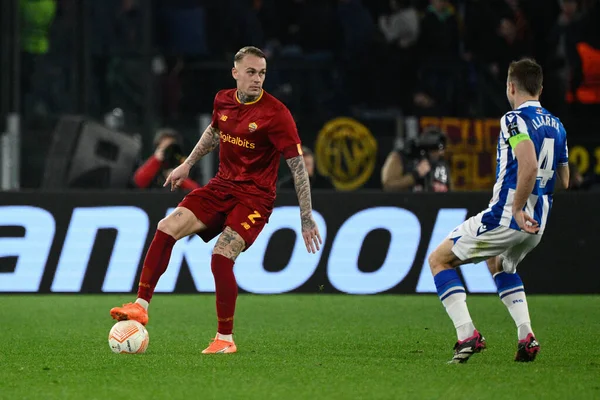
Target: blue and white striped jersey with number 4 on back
x,y
550,140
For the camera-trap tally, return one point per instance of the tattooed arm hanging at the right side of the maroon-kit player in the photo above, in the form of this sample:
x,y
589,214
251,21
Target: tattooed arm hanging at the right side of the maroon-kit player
x,y
310,231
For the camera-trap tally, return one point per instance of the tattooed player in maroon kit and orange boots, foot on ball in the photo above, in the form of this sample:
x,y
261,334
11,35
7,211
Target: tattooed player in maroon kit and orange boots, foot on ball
x,y
253,129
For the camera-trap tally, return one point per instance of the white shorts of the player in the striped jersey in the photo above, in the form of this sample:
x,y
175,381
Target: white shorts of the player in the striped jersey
x,y
474,243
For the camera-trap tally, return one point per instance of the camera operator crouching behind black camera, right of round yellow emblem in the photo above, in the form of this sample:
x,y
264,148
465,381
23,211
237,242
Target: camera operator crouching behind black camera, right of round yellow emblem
x,y
419,166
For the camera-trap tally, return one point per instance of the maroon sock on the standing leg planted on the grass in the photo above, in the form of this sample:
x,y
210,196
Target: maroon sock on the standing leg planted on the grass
x,y
226,290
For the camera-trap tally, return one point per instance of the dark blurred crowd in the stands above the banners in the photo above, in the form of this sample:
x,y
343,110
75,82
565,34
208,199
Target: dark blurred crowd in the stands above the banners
x,y
424,57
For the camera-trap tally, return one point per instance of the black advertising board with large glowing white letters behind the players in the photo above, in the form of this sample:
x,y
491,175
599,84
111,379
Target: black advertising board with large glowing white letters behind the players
x,y
374,243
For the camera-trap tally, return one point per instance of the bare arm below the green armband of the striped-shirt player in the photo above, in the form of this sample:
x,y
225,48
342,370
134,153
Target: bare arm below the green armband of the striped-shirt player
x,y
526,177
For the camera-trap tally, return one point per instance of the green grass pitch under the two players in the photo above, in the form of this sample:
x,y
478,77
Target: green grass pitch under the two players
x,y
296,347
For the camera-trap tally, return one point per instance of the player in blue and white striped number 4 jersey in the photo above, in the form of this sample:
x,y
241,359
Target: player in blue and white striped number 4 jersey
x,y
532,163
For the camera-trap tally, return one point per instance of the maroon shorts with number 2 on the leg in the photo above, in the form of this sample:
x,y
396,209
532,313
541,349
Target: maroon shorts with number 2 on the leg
x,y
218,208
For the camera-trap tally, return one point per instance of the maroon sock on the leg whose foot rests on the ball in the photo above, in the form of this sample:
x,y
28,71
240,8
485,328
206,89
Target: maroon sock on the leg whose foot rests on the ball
x,y
155,264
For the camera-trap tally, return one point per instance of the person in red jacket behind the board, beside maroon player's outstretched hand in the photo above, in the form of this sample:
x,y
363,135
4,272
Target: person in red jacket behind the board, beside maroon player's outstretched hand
x,y
168,154
